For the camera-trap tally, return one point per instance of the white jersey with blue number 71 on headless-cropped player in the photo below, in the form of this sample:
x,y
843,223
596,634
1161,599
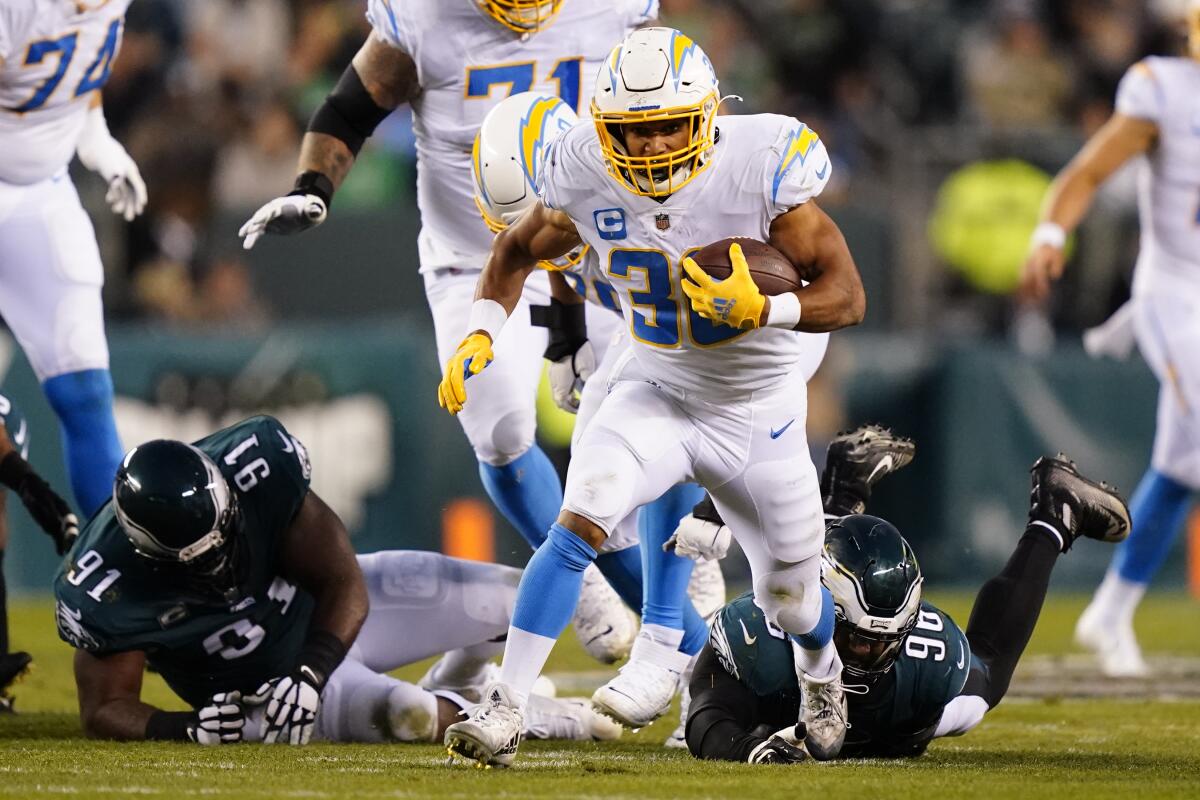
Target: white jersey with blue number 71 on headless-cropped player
x,y
467,63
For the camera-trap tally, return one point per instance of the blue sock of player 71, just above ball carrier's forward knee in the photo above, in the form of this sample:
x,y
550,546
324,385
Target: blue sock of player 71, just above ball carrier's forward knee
x,y
527,492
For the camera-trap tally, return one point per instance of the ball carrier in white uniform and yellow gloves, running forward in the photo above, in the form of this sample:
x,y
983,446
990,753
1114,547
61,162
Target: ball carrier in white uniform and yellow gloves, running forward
x,y
694,400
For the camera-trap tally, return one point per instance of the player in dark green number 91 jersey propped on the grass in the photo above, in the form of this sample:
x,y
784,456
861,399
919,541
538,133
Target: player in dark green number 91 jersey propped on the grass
x,y
215,566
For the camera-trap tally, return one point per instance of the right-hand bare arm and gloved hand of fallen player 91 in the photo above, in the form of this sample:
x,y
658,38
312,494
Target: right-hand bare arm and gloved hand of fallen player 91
x,y
319,558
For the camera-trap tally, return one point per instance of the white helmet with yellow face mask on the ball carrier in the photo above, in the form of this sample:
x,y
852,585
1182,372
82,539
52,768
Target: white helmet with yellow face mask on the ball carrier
x,y
656,75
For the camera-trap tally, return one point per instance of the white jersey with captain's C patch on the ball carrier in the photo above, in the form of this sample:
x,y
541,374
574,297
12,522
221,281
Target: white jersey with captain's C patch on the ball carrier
x,y
763,166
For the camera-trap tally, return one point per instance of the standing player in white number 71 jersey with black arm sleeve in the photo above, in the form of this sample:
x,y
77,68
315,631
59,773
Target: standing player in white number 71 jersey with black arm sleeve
x,y
454,61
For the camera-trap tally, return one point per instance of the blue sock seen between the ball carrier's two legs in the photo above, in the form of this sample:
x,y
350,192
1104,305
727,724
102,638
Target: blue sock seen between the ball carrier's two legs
x,y
668,575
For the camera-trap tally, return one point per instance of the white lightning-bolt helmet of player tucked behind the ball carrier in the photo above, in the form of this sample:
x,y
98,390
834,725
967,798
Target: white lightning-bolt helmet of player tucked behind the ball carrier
x,y
507,161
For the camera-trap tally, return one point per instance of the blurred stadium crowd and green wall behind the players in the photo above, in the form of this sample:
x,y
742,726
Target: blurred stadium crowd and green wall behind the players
x,y
945,119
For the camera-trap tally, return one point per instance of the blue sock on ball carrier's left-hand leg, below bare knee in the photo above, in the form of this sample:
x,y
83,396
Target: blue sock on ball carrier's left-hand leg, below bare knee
x,y
550,586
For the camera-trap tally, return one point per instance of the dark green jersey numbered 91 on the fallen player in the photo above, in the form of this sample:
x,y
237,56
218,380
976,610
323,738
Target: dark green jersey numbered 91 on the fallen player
x,y
113,600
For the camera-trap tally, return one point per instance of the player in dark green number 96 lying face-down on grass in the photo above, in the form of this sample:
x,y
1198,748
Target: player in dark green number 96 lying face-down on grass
x,y
910,673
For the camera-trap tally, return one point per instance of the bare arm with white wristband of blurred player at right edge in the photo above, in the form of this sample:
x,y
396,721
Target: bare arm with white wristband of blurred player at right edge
x,y
1071,195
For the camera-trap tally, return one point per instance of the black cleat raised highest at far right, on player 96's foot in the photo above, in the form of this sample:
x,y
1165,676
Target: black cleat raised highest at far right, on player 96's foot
x,y
1075,506
